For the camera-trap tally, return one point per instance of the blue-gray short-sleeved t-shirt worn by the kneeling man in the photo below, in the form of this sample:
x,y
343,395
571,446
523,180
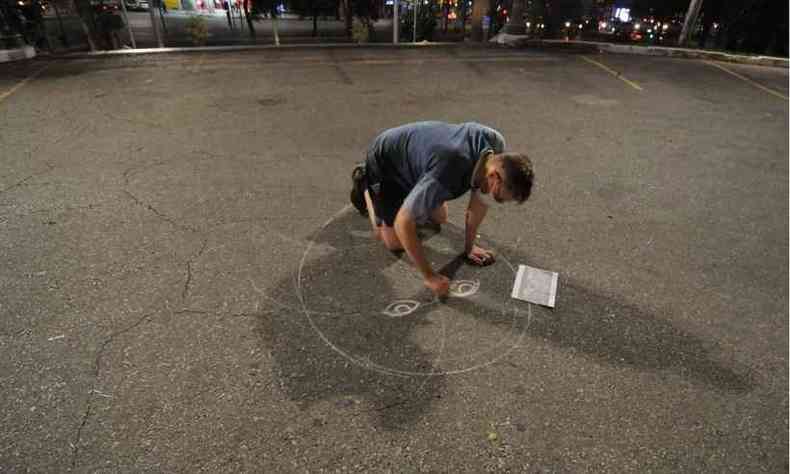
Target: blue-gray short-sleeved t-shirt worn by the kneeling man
x,y
434,160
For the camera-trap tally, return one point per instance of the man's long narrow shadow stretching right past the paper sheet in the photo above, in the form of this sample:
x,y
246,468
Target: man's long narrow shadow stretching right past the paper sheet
x,y
614,332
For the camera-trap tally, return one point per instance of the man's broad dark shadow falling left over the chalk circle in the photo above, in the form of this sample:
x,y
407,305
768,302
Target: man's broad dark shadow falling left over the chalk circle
x,y
328,338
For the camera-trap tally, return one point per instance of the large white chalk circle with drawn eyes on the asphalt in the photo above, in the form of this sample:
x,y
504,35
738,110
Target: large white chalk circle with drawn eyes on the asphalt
x,y
471,330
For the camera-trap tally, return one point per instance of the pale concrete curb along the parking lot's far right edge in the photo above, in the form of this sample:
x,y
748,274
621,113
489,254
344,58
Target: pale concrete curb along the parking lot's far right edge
x,y
594,46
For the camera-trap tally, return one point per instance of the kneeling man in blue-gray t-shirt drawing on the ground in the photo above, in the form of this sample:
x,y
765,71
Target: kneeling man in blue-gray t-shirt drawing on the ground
x,y
410,173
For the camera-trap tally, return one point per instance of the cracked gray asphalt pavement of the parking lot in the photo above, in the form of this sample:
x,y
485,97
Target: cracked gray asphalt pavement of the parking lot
x,y
186,288
